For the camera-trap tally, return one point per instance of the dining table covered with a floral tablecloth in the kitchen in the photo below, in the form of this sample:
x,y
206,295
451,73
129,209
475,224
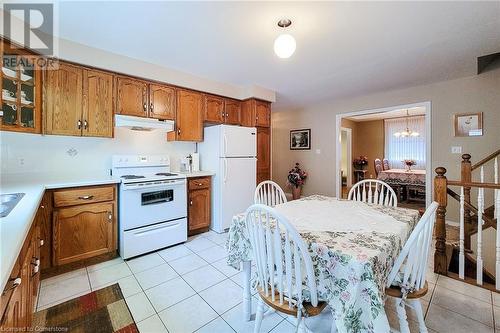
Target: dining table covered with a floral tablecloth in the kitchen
x,y
353,246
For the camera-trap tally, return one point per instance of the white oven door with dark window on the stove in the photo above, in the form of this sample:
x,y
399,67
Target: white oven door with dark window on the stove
x,y
152,202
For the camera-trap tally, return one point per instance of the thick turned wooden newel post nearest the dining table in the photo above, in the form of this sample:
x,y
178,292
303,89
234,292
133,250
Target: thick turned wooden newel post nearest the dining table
x,y
440,196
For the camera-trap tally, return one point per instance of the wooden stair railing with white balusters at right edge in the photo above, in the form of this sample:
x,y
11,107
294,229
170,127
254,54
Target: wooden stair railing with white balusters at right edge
x,y
473,219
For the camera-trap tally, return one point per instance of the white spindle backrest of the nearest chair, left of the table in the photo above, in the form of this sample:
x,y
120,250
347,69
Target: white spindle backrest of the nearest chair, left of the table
x,y
283,261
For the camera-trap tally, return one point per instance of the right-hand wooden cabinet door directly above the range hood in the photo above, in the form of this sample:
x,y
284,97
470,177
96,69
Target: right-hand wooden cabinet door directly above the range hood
x,y
161,102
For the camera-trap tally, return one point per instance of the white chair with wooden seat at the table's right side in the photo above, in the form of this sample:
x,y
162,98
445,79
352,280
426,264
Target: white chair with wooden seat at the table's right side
x,y
406,280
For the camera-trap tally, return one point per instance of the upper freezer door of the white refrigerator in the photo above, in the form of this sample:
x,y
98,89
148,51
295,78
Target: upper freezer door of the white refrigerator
x,y
238,141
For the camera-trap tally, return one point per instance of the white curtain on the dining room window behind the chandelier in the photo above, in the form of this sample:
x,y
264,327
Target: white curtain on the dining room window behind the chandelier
x,y
398,149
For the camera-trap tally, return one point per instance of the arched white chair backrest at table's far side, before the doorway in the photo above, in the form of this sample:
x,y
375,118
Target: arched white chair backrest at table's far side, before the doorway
x,y
373,191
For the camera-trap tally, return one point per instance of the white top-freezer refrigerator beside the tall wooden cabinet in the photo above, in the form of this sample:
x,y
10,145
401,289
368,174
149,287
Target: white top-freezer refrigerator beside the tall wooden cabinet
x,y
230,152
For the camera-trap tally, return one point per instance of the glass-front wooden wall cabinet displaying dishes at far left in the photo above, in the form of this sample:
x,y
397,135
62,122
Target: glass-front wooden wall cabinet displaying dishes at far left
x,y
21,85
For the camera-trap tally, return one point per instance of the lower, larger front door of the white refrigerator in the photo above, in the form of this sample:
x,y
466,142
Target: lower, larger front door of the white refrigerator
x,y
237,188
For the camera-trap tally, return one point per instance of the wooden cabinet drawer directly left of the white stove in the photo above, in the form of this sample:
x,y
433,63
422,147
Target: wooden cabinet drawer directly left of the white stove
x,y
83,195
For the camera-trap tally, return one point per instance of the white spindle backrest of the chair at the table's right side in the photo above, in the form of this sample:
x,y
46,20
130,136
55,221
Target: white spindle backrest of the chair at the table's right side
x,y
413,258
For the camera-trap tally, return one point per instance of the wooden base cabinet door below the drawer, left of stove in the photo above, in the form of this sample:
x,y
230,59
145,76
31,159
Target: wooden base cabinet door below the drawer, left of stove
x,y
84,231
